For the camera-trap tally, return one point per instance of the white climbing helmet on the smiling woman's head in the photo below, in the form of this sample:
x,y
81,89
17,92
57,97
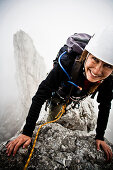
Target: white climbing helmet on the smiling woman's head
x,y
101,45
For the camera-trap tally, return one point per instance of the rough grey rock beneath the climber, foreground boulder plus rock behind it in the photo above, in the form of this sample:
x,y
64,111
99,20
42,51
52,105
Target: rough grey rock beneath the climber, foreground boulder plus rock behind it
x,y
61,146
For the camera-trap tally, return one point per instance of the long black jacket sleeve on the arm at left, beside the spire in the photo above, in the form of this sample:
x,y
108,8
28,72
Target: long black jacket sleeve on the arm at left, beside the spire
x,y
44,92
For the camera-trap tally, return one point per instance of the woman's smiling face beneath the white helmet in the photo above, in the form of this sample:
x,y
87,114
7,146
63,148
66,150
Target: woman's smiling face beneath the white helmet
x,y
96,69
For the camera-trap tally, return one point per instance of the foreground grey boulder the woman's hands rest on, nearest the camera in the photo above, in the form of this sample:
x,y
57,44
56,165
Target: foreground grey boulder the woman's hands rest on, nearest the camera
x,y
59,148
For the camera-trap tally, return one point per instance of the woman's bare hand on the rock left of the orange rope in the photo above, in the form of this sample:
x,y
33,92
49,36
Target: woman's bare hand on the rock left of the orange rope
x,y
16,143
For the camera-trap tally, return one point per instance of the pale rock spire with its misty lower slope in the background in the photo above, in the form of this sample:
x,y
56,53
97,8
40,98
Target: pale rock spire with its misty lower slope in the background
x,y
29,73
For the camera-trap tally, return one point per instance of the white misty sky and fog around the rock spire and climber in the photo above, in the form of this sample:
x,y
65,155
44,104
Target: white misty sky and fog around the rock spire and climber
x,y
49,23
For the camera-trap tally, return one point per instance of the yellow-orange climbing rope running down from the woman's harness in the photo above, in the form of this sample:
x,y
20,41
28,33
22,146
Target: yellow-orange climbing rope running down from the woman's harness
x,y
57,117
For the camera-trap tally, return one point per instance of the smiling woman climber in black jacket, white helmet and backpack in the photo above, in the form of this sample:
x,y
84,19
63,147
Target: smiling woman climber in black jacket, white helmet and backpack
x,y
83,67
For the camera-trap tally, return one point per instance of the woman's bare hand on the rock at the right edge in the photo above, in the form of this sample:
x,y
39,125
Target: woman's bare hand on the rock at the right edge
x,y
106,149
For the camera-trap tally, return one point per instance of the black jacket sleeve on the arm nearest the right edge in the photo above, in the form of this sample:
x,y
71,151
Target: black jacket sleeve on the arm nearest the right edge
x,y
104,99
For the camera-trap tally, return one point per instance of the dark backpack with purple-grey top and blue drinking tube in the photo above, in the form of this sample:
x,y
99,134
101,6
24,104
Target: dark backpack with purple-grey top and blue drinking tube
x,y
70,53
